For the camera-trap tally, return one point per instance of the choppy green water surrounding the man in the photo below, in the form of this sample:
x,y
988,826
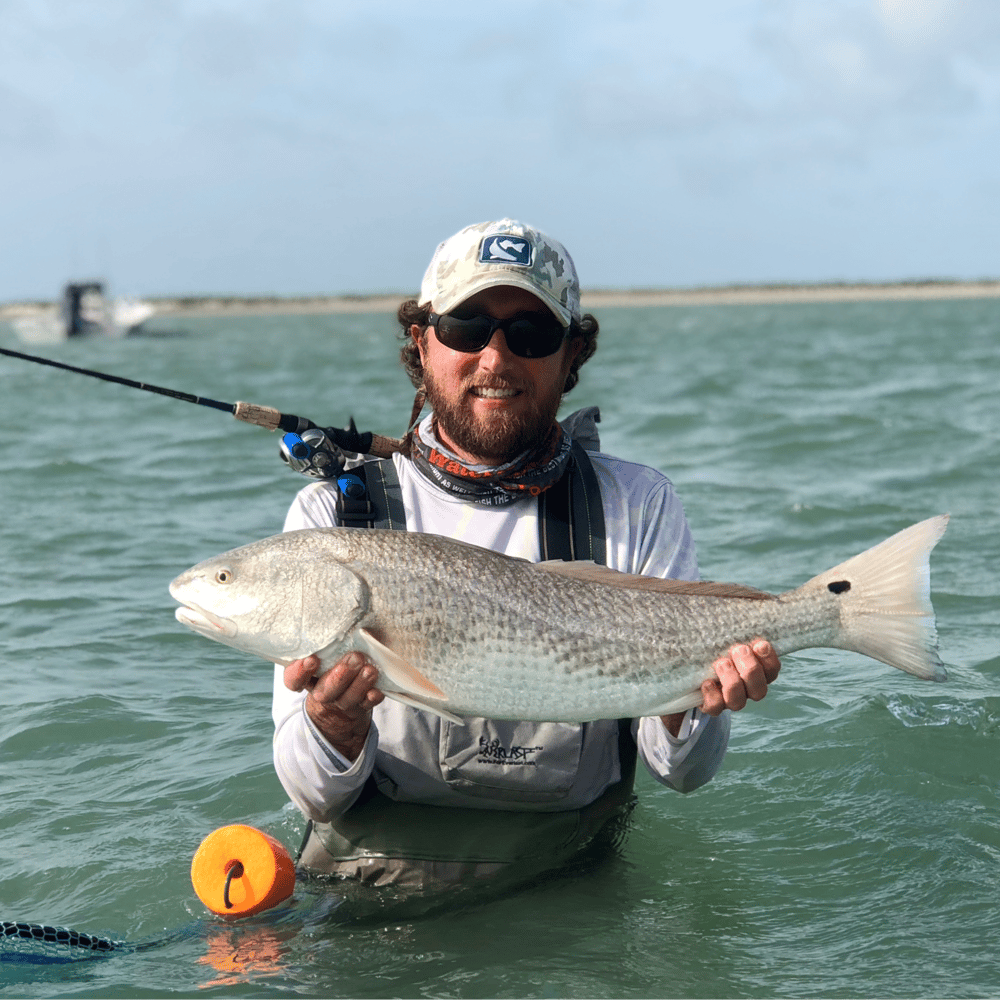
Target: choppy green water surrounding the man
x,y
850,845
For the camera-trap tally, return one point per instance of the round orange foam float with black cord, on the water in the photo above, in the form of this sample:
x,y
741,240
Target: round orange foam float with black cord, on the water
x,y
239,871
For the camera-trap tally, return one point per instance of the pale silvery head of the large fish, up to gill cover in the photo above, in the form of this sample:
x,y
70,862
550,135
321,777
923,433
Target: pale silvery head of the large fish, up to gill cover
x,y
273,598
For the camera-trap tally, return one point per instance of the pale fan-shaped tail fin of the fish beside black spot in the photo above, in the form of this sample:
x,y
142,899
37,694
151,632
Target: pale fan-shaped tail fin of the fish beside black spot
x,y
886,611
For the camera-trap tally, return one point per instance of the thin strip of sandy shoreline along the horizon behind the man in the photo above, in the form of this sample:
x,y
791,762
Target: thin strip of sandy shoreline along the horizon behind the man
x,y
205,306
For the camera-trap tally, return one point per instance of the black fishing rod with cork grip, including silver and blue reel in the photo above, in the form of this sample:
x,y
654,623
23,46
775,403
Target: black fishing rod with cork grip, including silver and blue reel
x,y
317,452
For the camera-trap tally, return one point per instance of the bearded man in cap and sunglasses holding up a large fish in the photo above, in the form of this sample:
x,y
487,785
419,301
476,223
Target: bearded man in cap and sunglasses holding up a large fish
x,y
493,343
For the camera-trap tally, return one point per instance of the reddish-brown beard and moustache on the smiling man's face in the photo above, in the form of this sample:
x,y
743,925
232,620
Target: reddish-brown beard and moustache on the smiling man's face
x,y
502,437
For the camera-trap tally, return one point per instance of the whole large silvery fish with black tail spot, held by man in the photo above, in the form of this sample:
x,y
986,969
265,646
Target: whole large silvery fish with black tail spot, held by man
x,y
464,631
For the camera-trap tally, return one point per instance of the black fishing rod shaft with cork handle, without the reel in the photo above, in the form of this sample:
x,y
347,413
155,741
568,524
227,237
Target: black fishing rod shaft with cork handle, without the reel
x,y
346,438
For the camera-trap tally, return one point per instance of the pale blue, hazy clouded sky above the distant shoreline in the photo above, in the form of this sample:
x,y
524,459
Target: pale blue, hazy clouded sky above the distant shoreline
x,y
302,147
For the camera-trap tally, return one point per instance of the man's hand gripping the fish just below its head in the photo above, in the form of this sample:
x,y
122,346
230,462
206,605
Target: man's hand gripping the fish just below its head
x,y
339,702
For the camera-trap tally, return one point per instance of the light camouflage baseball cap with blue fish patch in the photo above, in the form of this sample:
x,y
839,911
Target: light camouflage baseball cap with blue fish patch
x,y
502,253
